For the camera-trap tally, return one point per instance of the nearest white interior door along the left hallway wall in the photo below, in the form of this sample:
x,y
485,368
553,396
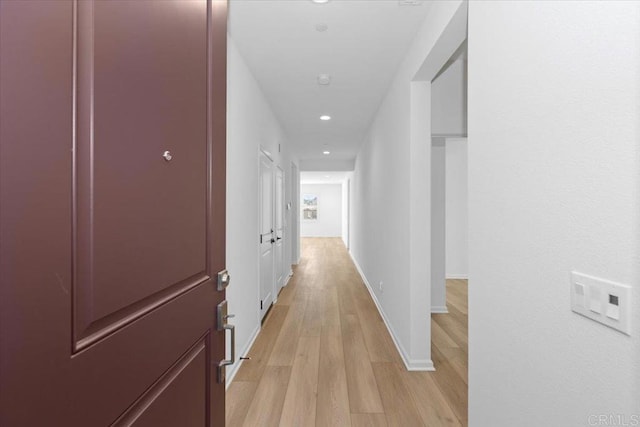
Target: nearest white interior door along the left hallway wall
x,y
267,234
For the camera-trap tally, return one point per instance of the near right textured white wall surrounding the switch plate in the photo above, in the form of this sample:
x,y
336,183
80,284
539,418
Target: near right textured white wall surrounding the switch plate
x,y
554,185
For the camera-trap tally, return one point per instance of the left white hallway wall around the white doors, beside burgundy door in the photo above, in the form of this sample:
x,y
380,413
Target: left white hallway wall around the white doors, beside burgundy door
x,y
250,124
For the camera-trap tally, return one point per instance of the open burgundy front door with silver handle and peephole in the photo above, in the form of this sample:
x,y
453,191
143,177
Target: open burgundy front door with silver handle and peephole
x,y
112,207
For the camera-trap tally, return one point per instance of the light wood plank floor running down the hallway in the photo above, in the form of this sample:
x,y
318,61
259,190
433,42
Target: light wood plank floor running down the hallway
x,y
325,358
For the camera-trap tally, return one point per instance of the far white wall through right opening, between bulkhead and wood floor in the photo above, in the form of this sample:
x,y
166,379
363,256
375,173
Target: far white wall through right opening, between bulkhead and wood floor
x,y
457,209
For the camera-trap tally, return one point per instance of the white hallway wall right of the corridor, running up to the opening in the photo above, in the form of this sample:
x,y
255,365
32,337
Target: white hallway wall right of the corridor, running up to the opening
x,y
381,200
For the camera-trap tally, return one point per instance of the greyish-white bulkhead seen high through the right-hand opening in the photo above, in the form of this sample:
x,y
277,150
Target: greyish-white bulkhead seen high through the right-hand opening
x,y
449,101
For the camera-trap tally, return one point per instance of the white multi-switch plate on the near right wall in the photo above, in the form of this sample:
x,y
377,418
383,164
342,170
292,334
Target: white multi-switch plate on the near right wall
x,y
602,300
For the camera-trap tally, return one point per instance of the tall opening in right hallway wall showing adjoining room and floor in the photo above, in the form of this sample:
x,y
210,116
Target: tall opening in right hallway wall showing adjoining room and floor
x,y
449,216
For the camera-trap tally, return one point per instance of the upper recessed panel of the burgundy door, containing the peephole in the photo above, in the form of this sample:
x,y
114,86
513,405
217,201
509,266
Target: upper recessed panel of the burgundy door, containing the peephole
x,y
141,218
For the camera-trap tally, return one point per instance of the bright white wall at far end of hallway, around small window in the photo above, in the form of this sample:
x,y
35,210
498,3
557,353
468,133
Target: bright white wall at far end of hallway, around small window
x,y
329,222
